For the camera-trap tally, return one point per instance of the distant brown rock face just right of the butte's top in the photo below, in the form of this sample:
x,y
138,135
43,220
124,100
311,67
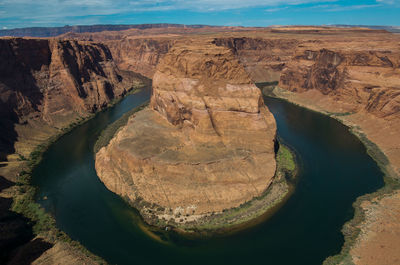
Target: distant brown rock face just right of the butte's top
x,y
262,58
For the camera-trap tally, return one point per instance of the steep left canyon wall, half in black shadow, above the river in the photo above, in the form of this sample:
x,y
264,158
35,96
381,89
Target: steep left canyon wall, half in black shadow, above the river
x,y
47,84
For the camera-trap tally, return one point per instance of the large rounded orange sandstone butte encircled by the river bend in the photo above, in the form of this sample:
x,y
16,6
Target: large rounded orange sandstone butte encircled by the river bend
x,y
205,144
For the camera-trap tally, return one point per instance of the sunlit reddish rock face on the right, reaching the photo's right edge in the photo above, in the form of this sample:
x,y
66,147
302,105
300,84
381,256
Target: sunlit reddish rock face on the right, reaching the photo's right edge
x,y
367,79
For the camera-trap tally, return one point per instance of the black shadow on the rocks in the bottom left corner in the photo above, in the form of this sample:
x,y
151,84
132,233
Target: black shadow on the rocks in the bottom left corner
x,y
16,244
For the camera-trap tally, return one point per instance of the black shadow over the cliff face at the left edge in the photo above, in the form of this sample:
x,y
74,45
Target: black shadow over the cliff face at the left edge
x,y
20,93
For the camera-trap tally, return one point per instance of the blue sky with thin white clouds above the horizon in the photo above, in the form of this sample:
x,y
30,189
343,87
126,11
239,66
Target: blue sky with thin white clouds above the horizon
x,y
29,13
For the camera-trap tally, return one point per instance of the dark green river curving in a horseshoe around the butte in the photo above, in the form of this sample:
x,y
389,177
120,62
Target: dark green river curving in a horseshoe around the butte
x,y
334,171
